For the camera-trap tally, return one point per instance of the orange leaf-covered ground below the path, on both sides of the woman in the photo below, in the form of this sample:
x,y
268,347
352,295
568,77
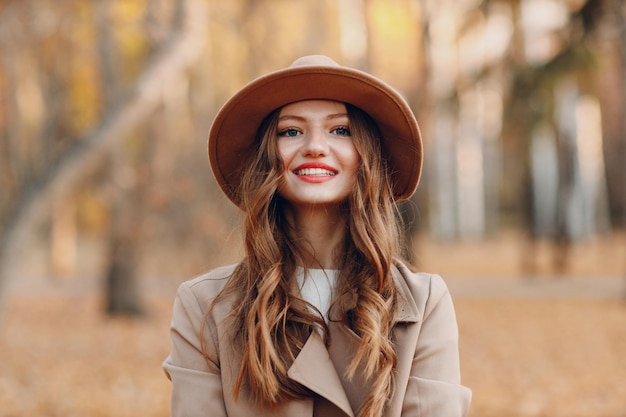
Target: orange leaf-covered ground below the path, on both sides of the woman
x,y
539,356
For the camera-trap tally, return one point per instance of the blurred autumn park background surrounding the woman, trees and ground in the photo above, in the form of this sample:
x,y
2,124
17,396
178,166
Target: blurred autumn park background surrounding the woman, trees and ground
x,y
107,202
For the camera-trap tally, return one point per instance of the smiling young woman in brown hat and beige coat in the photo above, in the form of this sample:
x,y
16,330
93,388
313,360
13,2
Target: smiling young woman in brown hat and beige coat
x,y
322,317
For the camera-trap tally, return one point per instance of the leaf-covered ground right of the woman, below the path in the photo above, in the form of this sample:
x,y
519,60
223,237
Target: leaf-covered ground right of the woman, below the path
x,y
544,357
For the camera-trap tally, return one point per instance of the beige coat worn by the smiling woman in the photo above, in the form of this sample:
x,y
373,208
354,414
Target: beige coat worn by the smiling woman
x,y
426,336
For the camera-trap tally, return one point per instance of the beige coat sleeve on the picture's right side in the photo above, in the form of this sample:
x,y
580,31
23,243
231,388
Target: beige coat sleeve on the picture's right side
x,y
434,388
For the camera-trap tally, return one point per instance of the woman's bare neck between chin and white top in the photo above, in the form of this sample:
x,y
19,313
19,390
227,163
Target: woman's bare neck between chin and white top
x,y
321,233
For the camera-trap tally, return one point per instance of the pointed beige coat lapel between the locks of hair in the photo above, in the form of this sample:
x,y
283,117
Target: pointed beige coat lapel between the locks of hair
x,y
314,369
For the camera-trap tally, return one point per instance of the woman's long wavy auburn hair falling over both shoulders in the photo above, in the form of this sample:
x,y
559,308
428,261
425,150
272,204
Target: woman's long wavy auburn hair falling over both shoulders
x,y
271,321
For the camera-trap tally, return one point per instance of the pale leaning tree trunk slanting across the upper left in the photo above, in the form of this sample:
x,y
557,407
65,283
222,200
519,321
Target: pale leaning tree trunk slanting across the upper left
x,y
169,64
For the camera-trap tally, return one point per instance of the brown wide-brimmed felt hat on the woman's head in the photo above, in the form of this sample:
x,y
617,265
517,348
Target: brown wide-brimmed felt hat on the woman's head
x,y
232,135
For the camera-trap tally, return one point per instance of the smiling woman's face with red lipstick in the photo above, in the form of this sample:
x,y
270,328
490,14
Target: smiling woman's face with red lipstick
x,y
317,151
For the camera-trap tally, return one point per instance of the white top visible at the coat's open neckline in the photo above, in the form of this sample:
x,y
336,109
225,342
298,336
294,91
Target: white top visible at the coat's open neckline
x,y
318,287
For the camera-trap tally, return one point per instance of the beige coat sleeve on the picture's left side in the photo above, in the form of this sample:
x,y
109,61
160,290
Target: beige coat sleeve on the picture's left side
x,y
196,380
